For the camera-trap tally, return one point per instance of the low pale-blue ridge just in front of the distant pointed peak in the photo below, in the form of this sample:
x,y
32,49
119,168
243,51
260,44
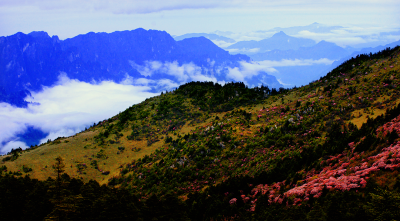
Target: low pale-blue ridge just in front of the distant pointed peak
x,y
323,49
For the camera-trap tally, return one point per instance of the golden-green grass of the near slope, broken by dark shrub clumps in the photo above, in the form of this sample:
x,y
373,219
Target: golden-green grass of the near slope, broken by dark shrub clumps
x,y
185,112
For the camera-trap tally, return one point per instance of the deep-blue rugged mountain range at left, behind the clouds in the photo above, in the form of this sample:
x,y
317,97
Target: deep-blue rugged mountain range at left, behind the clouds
x,y
30,61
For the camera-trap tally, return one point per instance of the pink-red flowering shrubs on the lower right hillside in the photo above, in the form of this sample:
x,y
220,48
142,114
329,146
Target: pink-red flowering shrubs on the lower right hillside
x,y
340,176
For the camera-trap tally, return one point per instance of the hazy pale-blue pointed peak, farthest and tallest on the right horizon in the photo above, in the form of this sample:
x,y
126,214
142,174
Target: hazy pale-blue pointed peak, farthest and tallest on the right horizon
x,y
279,41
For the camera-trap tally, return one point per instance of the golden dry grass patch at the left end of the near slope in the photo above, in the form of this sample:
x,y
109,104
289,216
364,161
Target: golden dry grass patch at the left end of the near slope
x,y
81,149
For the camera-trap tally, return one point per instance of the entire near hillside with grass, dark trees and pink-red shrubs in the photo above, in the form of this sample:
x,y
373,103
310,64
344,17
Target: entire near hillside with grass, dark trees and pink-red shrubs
x,y
205,151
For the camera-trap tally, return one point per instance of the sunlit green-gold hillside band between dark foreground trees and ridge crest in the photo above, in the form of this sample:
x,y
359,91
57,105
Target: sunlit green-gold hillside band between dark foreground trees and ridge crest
x,y
203,134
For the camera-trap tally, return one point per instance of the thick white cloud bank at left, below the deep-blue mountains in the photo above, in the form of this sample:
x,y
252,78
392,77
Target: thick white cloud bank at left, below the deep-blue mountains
x,y
67,108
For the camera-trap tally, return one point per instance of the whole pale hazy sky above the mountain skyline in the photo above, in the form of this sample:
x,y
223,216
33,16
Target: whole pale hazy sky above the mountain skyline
x,y
68,18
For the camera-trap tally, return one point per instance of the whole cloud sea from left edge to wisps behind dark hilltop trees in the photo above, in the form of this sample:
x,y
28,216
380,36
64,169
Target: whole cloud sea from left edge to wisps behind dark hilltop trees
x,y
70,105
